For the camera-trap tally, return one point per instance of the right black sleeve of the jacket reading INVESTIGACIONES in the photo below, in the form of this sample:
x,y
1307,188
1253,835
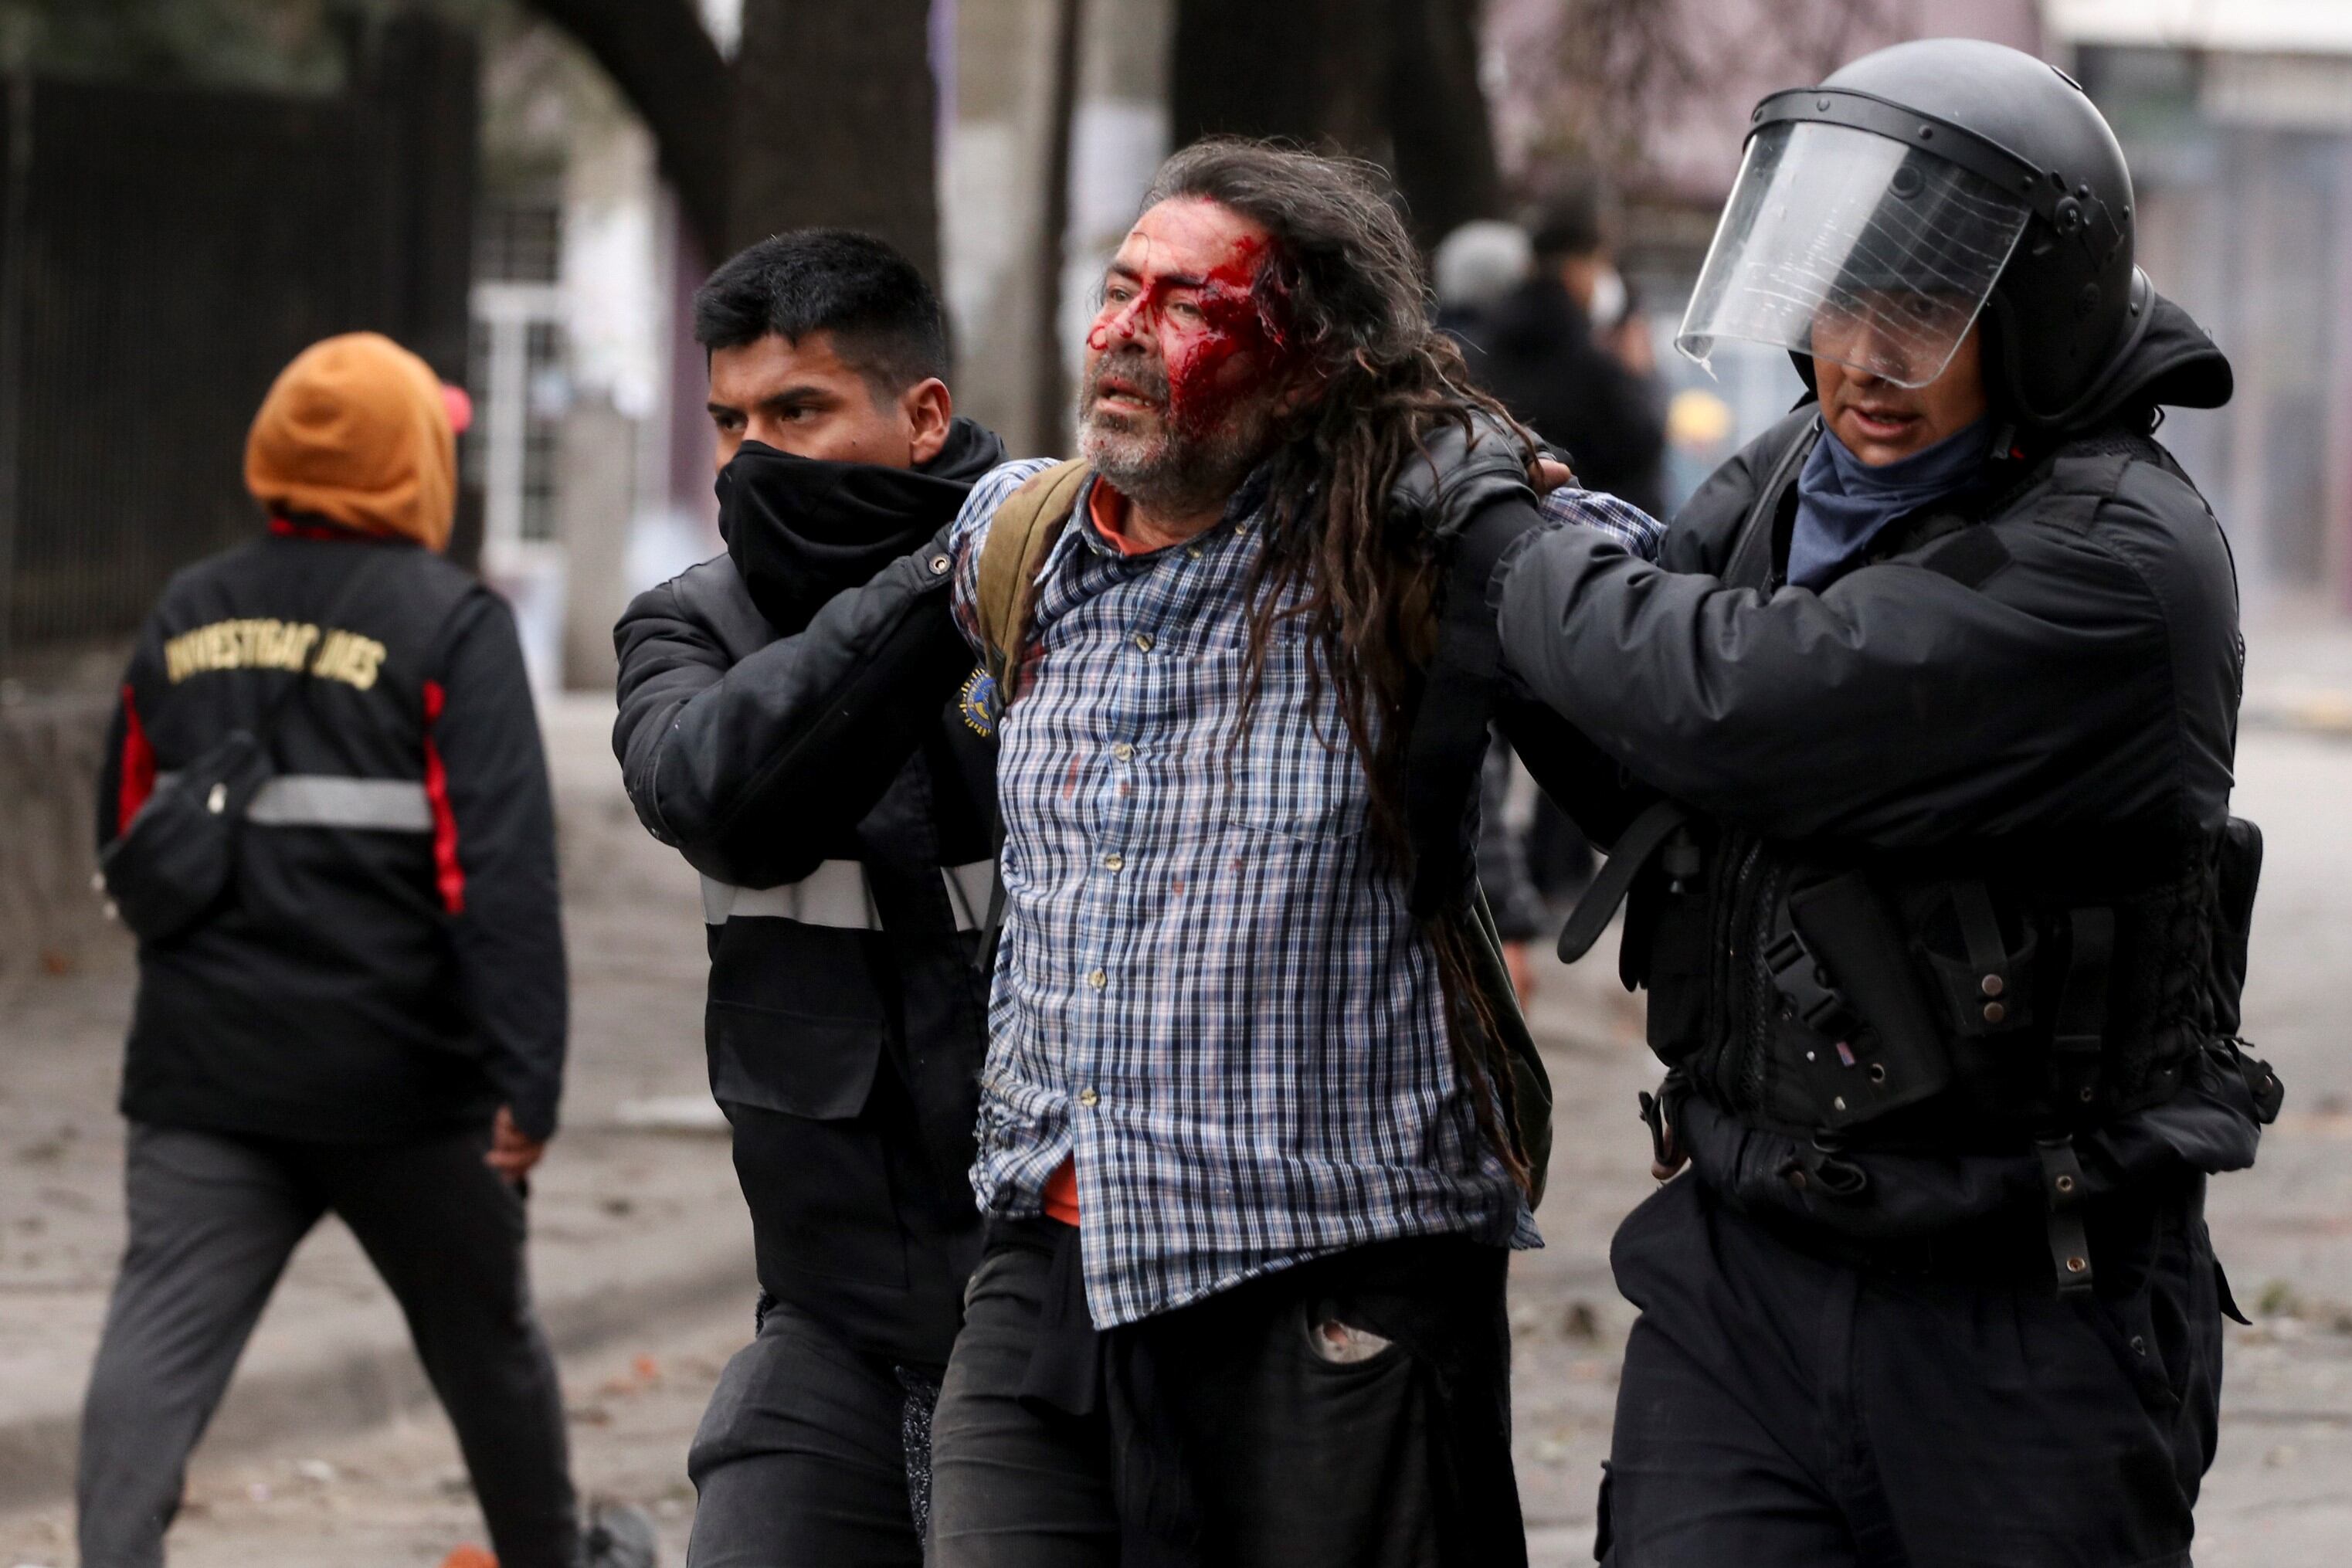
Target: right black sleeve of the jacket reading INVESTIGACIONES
x,y
505,913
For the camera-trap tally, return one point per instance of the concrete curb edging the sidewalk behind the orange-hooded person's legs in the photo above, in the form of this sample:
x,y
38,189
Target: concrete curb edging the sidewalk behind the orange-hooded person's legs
x,y
373,1383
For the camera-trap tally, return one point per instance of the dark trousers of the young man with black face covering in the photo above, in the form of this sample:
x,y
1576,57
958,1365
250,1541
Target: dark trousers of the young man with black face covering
x,y
806,1454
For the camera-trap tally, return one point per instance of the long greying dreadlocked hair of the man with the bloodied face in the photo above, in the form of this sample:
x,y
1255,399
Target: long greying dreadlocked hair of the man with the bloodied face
x,y
1344,295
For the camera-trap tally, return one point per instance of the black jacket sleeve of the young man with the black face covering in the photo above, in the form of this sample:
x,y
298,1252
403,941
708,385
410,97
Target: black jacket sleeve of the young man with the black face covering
x,y
749,770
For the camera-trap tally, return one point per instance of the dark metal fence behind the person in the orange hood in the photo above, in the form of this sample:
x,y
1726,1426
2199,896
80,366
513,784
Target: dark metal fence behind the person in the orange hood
x,y
163,253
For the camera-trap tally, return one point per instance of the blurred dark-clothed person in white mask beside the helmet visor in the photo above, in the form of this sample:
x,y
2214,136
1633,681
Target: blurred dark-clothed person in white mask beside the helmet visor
x,y
1570,359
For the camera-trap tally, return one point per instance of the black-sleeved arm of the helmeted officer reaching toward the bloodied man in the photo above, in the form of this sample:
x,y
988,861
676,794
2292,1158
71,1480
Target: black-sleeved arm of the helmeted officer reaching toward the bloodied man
x,y
1902,704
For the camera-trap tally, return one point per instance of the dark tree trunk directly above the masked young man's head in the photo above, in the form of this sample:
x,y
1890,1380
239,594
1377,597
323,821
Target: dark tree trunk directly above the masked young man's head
x,y
834,123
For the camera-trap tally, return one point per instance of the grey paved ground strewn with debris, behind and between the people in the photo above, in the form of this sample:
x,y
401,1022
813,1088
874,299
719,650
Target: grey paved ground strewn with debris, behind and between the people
x,y
634,1202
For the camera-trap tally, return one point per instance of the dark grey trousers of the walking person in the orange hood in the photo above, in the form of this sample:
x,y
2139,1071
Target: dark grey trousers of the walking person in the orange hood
x,y
213,1221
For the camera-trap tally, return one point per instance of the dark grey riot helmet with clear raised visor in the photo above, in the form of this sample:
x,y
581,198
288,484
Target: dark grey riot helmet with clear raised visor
x,y
1913,194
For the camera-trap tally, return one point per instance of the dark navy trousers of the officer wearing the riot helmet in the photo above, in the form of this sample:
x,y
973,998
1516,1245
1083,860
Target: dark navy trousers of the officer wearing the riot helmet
x,y
1782,1409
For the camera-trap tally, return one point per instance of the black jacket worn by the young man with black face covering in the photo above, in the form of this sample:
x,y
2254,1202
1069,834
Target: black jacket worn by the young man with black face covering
x,y
846,1059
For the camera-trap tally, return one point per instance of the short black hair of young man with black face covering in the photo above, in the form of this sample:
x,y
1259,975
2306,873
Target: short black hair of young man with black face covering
x,y
878,307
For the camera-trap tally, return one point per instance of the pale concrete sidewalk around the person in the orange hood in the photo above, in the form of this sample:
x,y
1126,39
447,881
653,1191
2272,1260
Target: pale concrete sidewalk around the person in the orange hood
x,y
632,1226
